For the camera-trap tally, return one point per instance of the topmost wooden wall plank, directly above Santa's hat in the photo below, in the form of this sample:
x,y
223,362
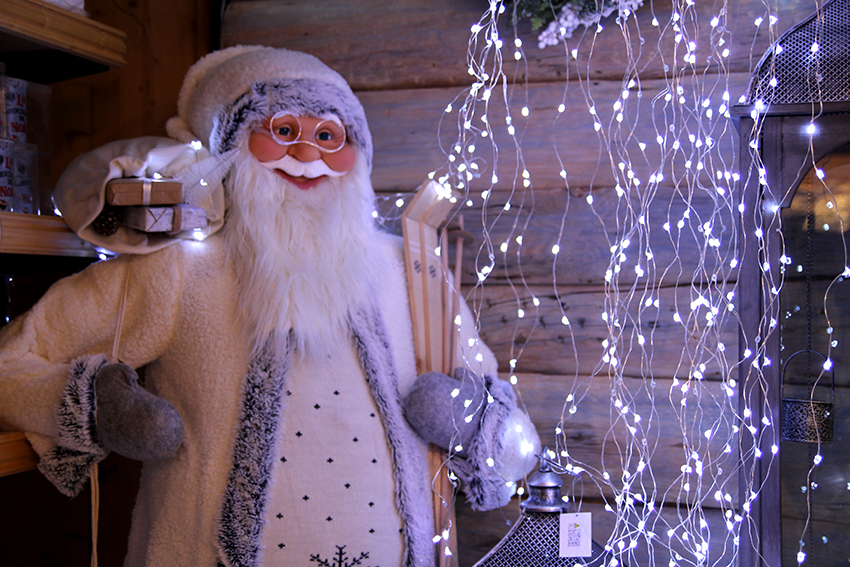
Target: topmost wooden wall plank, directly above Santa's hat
x,y
415,43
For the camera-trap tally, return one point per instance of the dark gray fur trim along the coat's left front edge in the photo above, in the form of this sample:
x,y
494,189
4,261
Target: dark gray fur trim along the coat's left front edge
x,y
241,520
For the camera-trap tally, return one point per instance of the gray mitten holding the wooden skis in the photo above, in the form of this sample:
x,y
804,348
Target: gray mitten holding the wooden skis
x,y
444,419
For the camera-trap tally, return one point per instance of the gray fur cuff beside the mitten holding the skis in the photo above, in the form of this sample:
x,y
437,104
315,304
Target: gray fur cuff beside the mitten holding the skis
x,y
484,487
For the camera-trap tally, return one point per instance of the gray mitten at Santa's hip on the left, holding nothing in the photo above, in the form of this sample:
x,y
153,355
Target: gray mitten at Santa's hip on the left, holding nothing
x,y
130,420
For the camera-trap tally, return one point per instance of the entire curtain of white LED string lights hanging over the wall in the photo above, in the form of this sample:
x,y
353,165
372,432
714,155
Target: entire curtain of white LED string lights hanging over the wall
x,y
670,218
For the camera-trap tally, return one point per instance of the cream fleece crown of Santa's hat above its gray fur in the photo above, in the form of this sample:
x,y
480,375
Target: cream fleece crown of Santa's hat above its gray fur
x,y
219,79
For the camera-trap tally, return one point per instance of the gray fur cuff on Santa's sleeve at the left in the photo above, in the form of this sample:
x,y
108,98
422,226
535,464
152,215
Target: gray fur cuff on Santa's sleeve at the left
x,y
67,466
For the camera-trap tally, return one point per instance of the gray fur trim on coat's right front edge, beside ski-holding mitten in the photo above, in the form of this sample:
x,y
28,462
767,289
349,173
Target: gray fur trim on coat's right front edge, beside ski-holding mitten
x,y
370,338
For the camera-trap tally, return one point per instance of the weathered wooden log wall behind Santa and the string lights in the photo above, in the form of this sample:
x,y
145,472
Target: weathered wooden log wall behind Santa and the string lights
x,y
407,61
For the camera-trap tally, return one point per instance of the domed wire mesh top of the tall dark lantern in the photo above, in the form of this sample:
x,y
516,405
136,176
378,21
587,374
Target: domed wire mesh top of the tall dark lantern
x,y
809,62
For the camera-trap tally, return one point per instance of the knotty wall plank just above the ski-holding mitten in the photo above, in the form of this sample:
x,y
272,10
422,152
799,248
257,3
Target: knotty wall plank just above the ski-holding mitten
x,y
540,342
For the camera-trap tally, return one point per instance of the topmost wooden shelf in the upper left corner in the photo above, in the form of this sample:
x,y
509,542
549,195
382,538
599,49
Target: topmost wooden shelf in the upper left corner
x,y
43,43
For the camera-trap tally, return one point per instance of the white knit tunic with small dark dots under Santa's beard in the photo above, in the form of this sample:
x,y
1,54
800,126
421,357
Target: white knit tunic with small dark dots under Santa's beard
x,y
344,509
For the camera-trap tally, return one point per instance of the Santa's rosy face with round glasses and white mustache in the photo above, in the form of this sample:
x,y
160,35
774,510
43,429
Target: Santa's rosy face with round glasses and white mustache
x,y
303,150
